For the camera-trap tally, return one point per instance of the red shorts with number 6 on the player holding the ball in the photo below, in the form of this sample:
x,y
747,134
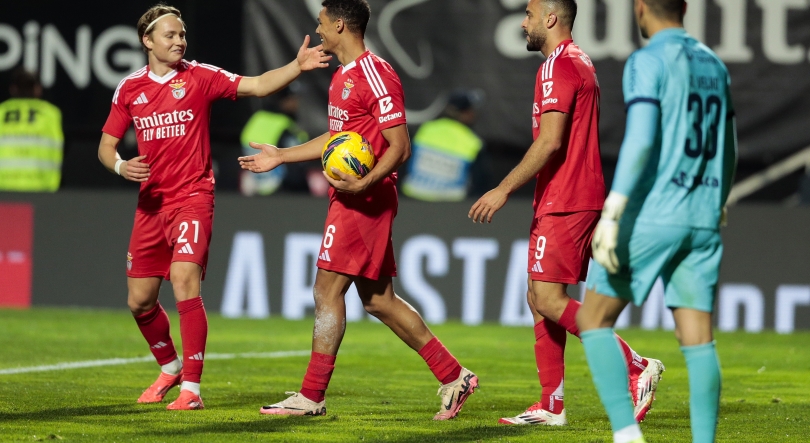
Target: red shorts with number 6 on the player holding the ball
x,y
357,233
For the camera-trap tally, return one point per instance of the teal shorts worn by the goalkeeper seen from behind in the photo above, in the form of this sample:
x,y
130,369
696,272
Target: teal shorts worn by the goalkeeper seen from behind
x,y
687,259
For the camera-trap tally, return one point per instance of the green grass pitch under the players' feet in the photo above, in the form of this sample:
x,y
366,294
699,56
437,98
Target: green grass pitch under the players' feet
x,y
380,391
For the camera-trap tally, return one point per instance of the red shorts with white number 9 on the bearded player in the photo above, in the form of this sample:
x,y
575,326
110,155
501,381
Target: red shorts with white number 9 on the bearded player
x,y
560,246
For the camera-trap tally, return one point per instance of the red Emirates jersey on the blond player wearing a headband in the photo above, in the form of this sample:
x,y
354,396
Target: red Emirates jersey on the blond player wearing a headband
x,y
171,116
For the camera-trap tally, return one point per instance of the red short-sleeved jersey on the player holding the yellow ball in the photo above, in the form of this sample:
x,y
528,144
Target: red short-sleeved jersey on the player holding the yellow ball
x,y
366,97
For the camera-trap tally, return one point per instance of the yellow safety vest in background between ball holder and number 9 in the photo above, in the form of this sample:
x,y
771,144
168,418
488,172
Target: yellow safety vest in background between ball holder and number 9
x,y
443,151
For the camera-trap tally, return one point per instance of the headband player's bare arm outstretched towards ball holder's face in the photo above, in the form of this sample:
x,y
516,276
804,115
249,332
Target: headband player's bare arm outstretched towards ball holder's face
x,y
277,79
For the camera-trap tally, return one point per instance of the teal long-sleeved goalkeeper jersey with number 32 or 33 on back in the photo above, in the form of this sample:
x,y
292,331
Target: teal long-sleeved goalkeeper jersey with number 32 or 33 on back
x,y
683,179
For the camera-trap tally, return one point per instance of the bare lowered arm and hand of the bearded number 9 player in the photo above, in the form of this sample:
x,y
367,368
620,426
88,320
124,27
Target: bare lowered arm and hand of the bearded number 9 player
x,y
553,126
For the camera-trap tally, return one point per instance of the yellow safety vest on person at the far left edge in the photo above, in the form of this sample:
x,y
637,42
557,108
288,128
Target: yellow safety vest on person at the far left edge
x,y
31,143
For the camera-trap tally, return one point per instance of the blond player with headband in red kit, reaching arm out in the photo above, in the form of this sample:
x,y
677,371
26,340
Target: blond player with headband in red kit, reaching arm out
x,y
169,101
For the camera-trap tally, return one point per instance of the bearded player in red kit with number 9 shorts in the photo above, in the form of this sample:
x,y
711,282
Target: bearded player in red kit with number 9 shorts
x,y
570,191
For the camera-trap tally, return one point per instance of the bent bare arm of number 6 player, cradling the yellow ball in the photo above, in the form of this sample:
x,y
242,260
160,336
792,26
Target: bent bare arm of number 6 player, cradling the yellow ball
x,y
399,151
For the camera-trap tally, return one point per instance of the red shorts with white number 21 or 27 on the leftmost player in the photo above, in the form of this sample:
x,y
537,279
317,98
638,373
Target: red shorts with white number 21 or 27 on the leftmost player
x,y
161,238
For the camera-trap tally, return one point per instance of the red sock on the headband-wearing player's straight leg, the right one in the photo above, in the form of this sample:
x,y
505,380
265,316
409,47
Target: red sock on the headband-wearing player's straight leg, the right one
x,y
193,331
